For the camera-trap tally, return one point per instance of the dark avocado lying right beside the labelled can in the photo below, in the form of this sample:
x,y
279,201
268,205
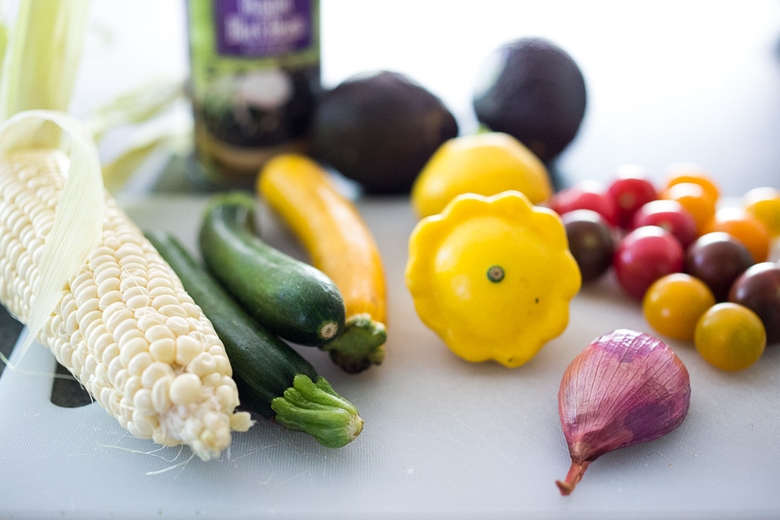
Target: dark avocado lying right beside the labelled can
x,y
379,129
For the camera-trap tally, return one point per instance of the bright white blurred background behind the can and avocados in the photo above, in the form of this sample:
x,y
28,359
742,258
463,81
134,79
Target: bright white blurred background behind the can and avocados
x,y
667,81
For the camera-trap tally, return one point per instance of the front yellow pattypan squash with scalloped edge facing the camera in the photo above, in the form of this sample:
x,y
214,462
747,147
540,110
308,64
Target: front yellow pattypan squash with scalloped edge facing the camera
x,y
492,276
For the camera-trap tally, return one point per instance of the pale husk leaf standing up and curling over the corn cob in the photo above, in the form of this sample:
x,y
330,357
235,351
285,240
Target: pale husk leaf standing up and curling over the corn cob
x,y
39,68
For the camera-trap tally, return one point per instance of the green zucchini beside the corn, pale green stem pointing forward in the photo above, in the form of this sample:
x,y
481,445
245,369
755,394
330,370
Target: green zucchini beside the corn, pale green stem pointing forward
x,y
273,379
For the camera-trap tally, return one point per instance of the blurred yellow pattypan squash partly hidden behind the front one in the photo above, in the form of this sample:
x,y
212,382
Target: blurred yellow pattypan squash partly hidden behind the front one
x,y
485,164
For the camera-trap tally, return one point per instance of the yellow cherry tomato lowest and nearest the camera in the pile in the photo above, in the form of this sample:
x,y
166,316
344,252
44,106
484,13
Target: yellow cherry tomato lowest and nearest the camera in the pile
x,y
730,336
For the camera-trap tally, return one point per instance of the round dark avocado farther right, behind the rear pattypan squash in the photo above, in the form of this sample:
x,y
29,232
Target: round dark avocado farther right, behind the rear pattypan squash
x,y
534,91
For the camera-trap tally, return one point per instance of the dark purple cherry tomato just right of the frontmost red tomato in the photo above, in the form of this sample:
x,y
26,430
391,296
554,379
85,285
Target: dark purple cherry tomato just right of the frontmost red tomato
x,y
717,259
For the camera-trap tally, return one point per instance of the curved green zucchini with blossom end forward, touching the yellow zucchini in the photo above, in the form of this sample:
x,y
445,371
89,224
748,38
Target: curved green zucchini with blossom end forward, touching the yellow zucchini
x,y
290,297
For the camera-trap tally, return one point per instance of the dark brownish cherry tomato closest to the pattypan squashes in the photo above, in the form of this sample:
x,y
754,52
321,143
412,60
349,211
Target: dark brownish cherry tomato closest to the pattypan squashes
x,y
590,242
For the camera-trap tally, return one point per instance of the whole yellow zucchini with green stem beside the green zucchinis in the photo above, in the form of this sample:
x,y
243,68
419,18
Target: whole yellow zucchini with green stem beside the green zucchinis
x,y
341,245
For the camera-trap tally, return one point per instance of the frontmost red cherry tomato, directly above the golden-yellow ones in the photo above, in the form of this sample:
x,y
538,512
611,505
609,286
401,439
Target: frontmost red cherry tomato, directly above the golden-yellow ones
x,y
645,255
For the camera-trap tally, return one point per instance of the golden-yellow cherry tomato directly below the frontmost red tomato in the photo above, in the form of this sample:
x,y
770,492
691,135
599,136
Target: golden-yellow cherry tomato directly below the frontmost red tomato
x,y
674,304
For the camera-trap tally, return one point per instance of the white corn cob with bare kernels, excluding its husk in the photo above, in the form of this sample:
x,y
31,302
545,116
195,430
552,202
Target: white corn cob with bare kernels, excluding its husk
x,y
124,327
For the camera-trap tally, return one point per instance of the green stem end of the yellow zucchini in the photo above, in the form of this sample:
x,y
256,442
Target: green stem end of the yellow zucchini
x,y
360,345
